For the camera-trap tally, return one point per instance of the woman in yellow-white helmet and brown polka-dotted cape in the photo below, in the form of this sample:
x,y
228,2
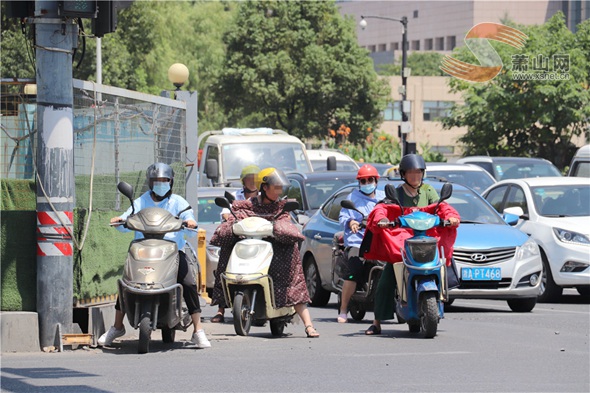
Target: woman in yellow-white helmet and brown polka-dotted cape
x,y
285,268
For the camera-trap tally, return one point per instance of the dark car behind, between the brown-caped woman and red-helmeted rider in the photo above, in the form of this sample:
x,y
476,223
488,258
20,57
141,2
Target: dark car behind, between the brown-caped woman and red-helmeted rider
x,y
312,189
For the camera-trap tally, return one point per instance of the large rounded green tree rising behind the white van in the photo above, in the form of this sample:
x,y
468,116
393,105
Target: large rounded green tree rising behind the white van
x,y
296,65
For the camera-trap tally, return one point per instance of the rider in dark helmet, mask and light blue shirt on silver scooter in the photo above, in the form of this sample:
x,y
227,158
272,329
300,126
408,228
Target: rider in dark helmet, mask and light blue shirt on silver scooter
x,y
160,178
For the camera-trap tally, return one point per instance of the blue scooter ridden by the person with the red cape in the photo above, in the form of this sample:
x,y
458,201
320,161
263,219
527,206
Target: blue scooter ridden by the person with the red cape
x,y
420,279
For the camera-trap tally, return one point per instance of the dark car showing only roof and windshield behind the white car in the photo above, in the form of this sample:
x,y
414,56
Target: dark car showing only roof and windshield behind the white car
x,y
513,167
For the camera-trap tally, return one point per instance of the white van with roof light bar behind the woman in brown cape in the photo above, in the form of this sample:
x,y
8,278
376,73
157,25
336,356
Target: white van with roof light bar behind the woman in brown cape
x,y
226,152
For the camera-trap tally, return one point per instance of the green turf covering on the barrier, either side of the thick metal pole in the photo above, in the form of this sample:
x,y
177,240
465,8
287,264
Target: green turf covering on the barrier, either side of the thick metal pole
x,y
96,268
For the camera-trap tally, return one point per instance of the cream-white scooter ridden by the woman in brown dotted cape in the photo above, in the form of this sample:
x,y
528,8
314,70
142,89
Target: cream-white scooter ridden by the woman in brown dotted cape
x,y
247,287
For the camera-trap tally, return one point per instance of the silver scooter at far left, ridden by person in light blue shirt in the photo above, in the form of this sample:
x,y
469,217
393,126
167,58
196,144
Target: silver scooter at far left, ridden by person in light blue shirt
x,y
148,292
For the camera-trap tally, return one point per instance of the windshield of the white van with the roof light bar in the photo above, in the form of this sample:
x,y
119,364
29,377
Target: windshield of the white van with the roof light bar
x,y
285,156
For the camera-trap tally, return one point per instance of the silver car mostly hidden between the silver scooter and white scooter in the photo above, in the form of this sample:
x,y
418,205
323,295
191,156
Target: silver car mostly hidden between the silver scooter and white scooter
x,y
209,217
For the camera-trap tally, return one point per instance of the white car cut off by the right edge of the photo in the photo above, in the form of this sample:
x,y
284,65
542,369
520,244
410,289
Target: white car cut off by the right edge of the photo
x,y
556,214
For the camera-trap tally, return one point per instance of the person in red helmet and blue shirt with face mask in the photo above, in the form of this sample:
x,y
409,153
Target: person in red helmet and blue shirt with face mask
x,y
364,198
